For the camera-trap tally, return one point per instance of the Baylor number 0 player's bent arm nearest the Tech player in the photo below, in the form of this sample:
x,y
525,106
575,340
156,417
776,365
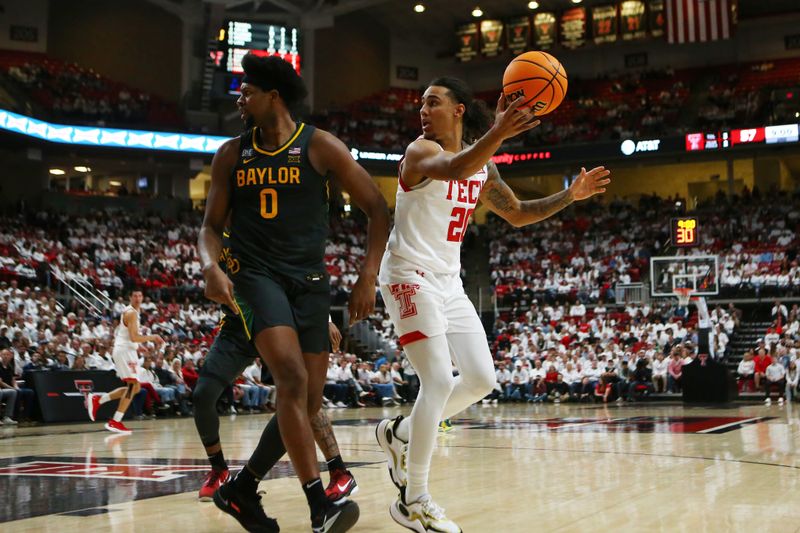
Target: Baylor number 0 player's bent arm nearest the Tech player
x,y
329,155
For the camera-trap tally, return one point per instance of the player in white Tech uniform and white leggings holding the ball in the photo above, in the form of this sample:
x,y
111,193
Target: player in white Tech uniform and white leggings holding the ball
x,y
443,175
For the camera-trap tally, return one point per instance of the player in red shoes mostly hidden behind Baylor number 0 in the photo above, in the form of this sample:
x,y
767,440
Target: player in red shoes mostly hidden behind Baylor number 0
x,y
231,352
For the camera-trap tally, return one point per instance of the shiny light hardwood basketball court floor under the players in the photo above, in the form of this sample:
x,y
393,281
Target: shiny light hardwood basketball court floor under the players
x,y
507,468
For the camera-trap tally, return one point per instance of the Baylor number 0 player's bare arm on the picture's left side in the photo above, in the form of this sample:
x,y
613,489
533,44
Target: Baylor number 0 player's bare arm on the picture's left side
x,y
209,242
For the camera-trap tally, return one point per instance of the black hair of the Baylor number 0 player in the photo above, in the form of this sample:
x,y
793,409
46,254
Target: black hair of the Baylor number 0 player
x,y
272,72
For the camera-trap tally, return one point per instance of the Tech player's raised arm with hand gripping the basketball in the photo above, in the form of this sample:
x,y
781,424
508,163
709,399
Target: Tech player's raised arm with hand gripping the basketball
x,y
425,159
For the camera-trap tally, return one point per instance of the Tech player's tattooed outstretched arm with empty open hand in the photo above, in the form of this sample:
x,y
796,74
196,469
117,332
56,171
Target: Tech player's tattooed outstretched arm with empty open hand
x,y
500,199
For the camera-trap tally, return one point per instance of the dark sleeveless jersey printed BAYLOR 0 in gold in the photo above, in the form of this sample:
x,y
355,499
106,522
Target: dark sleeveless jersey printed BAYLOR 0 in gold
x,y
279,208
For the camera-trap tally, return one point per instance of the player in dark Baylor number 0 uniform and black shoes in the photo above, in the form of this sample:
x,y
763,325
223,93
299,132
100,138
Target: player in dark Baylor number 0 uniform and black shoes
x,y
273,182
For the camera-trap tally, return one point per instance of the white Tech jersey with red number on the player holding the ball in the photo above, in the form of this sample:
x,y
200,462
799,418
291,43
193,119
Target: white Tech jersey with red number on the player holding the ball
x,y
430,221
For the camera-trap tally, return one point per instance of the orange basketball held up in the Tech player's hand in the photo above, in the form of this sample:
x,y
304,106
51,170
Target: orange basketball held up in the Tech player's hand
x,y
539,78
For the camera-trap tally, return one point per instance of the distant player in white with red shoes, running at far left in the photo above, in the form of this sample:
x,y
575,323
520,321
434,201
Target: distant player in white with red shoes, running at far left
x,y
126,360
